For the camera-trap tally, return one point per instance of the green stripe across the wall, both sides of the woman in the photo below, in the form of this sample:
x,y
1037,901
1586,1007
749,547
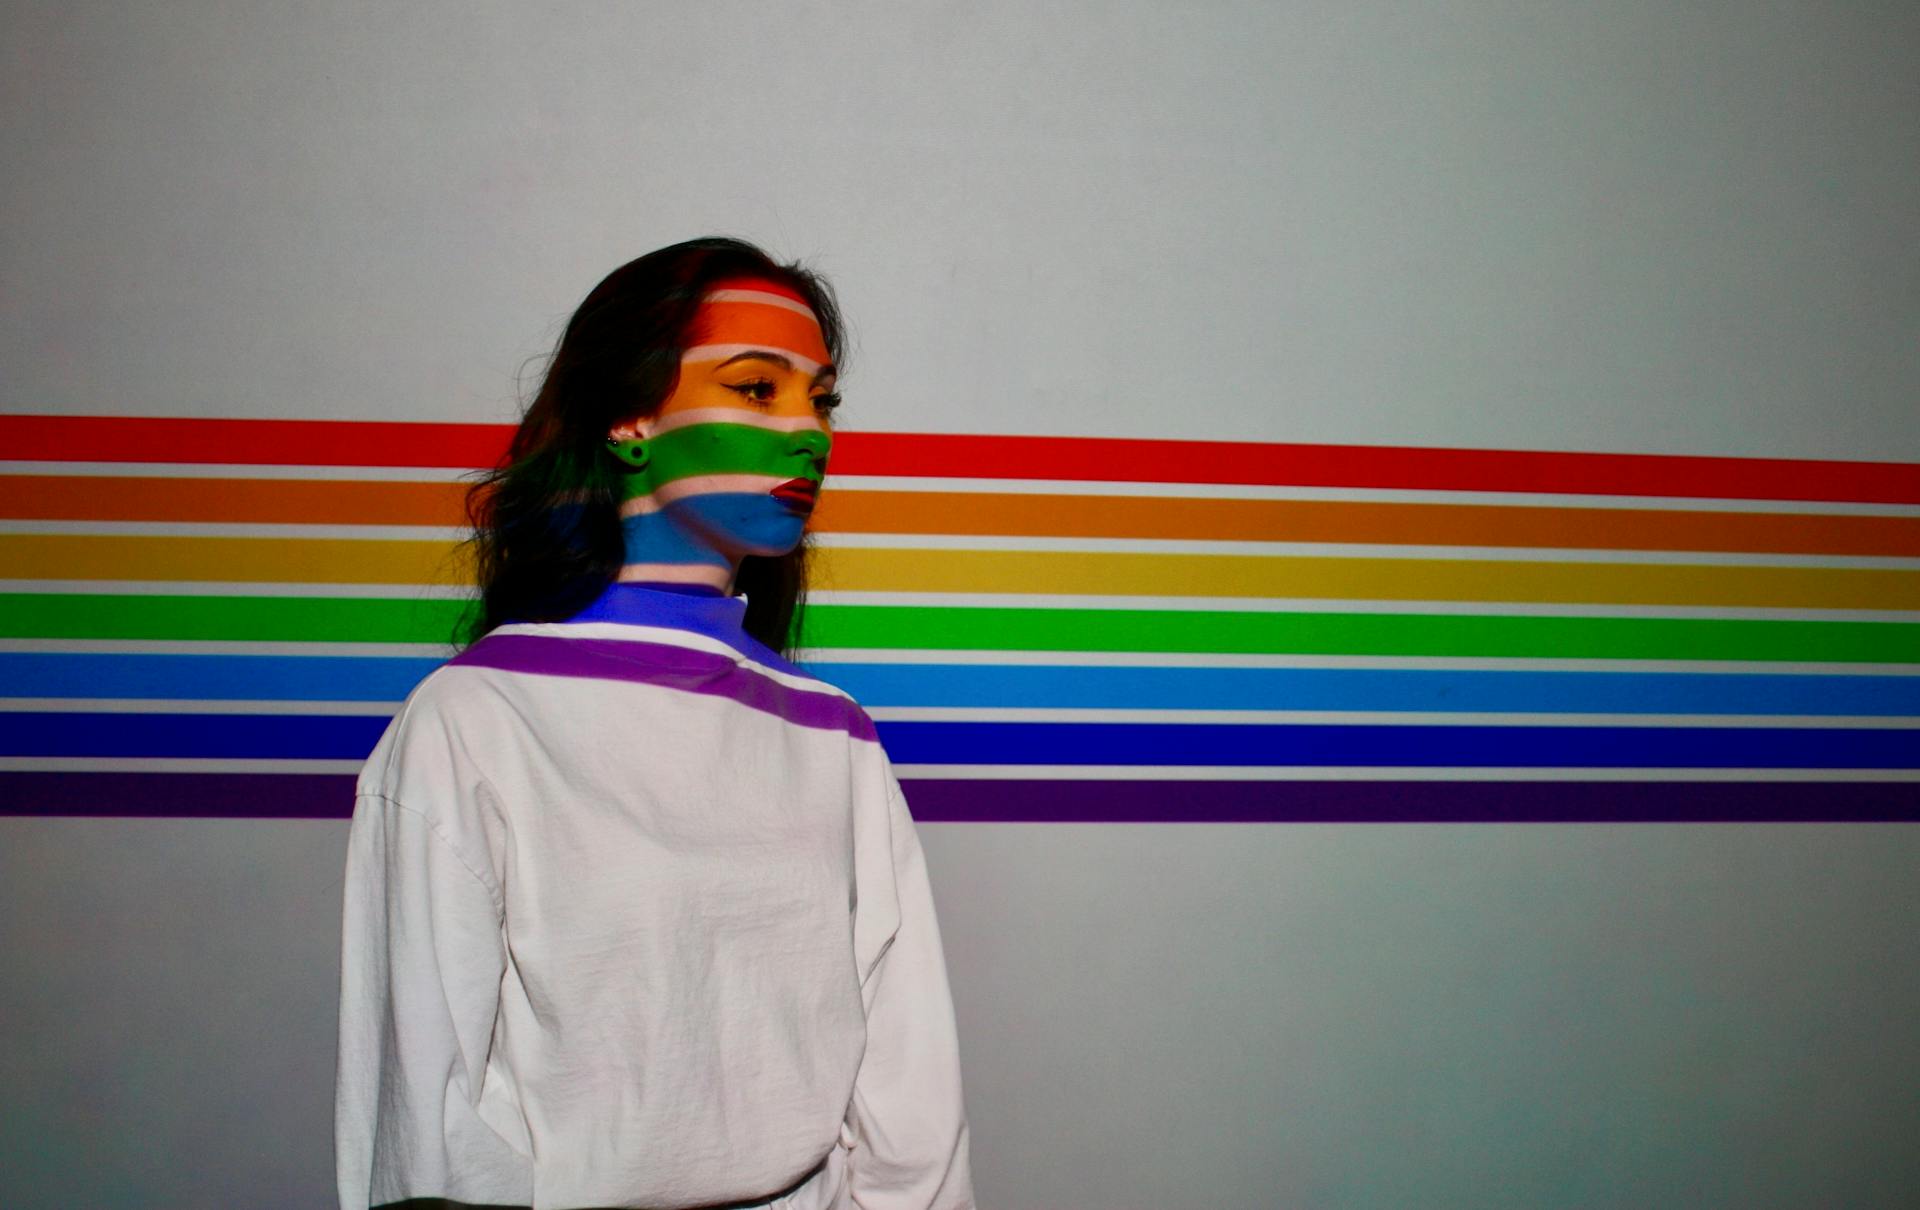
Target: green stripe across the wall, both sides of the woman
x,y
996,629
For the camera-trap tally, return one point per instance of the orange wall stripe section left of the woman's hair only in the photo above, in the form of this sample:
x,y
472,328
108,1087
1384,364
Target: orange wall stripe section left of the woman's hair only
x,y
231,500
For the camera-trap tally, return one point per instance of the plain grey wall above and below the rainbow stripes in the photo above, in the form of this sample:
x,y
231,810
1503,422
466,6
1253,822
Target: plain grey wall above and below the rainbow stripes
x,y
1531,226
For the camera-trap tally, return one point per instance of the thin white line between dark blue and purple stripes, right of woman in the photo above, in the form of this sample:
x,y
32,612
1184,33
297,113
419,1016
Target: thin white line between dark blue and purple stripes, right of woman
x,y
1385,773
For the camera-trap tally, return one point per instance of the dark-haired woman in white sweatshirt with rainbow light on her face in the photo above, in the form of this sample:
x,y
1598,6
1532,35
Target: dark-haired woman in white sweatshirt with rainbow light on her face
x,y
635,907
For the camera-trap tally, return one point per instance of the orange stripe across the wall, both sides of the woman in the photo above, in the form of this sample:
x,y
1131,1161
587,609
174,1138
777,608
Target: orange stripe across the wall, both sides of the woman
x,y
1011,514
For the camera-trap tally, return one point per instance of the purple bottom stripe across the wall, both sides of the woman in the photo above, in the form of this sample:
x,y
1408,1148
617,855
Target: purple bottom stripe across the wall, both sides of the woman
x,y
331,796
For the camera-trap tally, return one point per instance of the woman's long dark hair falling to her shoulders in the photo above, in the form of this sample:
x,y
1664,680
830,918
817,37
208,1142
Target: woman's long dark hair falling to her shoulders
x,y
546,521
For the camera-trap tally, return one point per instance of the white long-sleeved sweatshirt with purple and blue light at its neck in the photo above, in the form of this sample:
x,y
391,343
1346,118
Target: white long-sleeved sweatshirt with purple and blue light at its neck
x,y
636,917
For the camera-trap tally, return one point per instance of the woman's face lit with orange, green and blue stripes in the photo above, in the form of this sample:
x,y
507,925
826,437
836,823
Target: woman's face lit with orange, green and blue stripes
x,y
732,462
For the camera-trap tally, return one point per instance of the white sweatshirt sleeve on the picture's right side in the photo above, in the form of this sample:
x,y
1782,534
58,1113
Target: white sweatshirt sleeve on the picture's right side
x,y
907,1125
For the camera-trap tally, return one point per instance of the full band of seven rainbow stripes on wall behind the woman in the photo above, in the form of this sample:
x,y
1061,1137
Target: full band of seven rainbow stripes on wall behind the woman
x,y
218,617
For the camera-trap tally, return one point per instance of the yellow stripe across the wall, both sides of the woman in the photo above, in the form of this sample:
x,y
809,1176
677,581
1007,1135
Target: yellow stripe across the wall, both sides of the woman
x,y
1097,573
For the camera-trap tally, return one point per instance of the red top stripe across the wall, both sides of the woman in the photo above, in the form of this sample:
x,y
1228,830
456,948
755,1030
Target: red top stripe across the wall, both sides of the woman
x,y
1068,458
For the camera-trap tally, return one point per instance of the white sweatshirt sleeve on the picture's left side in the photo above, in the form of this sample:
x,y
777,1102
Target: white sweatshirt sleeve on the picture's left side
x,y
420,990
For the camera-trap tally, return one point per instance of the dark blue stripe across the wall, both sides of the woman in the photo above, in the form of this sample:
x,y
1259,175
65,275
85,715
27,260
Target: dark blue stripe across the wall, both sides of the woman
x,y
85,735
